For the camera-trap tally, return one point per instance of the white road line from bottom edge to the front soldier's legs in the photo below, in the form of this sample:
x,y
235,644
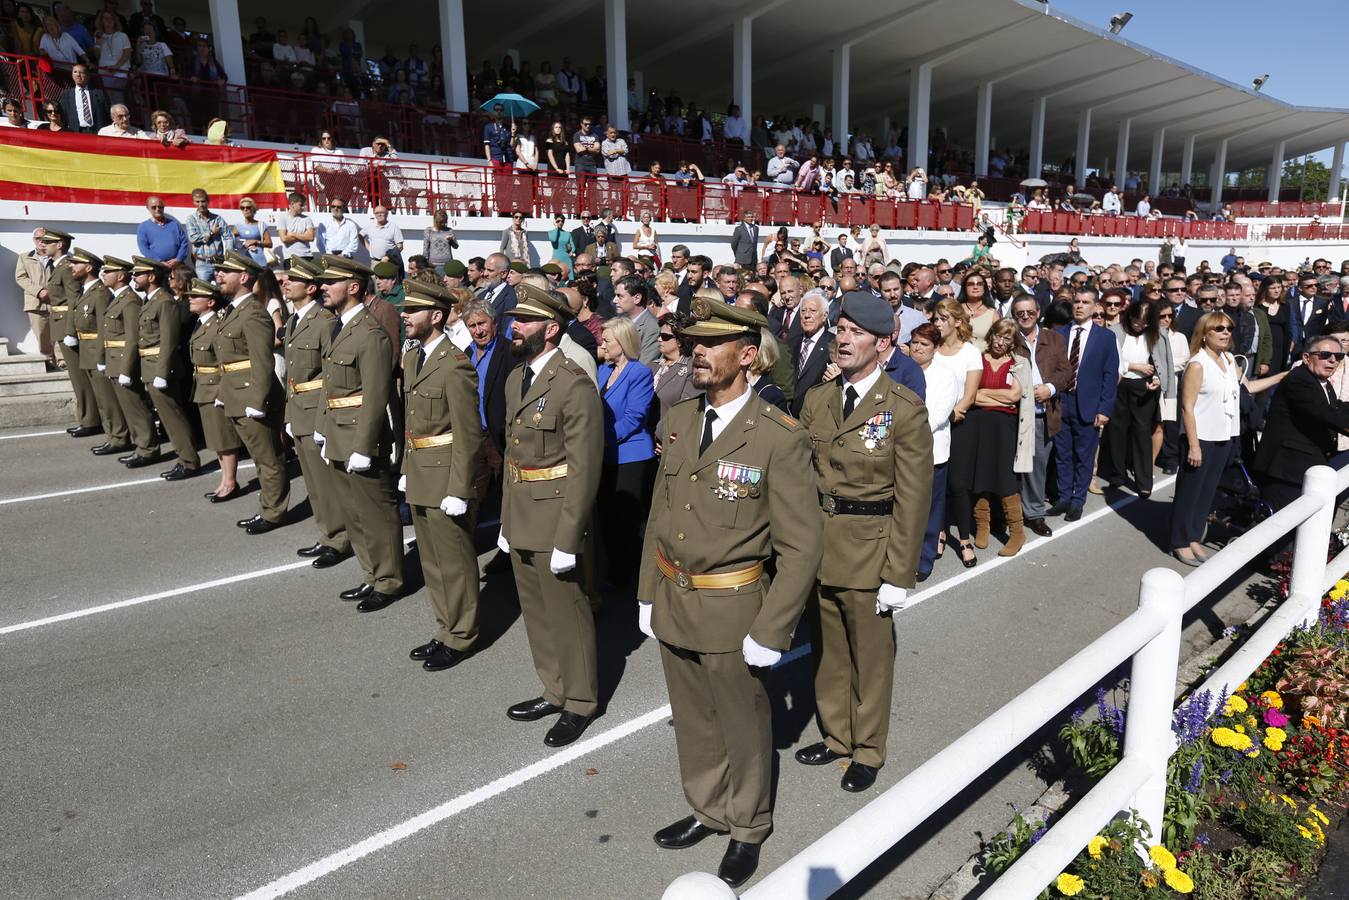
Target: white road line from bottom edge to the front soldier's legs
x,y
451,809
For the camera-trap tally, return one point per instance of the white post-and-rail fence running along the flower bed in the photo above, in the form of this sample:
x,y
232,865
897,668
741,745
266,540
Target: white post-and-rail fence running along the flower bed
x,y
1151,638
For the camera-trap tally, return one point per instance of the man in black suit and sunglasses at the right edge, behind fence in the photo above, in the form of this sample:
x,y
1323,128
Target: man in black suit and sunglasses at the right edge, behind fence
x,y
1304,423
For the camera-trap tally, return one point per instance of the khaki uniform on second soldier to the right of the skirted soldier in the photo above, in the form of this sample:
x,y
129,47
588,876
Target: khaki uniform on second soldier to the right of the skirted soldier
x,y
307,341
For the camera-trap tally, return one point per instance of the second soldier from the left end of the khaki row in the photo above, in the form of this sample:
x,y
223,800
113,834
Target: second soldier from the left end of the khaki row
x,y
84,323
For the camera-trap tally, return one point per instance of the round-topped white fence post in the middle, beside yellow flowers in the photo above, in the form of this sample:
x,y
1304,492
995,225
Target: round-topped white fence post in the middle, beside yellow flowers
x,y
1153,681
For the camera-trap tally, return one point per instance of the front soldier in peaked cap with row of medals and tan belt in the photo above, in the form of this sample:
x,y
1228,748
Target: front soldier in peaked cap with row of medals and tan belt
x,y
735,489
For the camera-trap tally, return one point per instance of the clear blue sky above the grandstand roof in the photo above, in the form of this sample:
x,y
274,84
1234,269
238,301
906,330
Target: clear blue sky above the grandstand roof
x,y
1239,40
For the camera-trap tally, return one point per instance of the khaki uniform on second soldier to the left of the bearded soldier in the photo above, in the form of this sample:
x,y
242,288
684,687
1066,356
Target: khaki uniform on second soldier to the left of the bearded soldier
x,y
358,376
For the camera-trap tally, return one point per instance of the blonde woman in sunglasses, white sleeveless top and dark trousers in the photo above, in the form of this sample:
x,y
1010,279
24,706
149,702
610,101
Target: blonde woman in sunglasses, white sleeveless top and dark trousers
x,y
1211,424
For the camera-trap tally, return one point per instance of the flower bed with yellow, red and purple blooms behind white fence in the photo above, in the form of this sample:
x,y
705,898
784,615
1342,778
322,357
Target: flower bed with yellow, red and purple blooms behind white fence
x,y
1255,785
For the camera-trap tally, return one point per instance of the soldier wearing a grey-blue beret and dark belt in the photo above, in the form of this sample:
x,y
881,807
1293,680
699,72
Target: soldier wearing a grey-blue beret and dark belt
x,y
873,466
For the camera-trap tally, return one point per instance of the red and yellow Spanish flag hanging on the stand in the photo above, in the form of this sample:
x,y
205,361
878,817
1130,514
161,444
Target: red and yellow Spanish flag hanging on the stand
x,y
41,167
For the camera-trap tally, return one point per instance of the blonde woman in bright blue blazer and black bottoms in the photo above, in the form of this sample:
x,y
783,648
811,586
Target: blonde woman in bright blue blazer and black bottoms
x,y
625,488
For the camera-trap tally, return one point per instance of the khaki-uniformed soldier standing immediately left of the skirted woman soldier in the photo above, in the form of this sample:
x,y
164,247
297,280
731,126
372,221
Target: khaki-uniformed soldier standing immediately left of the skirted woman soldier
x,y
161,364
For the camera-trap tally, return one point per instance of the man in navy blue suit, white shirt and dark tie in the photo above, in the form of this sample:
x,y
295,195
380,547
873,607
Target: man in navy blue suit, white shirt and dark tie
x,y
1087,403
